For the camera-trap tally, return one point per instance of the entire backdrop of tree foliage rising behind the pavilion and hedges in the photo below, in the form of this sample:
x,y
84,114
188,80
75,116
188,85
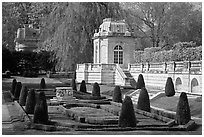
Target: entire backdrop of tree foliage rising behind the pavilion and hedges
x,y
67,28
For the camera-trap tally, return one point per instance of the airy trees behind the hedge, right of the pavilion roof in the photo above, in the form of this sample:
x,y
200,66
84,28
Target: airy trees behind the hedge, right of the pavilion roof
x,y
165,23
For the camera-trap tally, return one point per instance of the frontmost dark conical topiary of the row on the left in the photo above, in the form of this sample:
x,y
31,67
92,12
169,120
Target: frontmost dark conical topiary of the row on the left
x,y
41,110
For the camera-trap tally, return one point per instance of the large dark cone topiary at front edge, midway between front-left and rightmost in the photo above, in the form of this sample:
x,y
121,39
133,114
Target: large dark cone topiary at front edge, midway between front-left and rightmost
x,y
127,115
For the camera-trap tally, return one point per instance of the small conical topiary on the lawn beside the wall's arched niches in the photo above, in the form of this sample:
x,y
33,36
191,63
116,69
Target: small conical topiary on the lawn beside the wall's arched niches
x,y
169,87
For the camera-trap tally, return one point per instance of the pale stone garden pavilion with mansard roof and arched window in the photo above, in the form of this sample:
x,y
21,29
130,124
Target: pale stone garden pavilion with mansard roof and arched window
x,y
113,43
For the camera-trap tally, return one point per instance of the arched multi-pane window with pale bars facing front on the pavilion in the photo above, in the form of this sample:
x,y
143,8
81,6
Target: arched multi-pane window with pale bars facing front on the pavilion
x,y
118,55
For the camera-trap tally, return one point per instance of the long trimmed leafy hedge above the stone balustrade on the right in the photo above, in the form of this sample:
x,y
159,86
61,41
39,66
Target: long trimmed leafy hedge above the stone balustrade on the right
x,y
181,51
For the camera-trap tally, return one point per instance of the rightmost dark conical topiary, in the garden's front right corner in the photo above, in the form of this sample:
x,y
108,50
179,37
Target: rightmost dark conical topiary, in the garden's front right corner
x,y
183,114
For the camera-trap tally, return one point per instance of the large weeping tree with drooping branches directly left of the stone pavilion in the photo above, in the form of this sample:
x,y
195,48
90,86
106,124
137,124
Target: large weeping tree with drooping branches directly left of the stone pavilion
x,y
69,28
